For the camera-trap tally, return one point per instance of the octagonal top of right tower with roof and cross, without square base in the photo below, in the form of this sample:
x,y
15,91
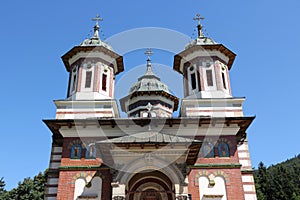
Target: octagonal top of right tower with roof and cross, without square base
x,y
205,65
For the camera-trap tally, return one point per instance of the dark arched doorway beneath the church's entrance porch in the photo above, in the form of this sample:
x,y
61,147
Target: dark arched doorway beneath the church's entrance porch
x,y
150,185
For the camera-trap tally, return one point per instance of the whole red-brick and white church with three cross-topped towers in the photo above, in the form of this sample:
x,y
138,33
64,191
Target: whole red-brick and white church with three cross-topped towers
x,y
201,154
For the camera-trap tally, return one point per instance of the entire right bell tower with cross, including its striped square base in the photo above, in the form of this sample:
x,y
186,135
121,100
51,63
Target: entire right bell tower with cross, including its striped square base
x,y
205,67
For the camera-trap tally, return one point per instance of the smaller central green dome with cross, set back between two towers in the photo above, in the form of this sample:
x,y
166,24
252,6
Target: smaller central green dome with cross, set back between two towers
x,y
149,97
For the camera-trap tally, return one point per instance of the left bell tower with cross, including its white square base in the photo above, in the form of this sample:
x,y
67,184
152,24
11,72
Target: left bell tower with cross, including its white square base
x,y
92,67
